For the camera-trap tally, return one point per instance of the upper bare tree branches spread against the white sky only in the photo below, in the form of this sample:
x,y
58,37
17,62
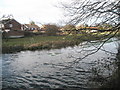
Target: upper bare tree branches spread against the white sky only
x,y
100,11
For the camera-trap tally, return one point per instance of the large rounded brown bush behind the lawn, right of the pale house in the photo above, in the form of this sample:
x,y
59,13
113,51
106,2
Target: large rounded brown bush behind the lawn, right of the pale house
x,y
51,29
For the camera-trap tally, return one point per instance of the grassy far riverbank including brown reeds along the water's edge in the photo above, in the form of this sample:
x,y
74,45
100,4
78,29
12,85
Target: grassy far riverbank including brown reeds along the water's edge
x,y
46,42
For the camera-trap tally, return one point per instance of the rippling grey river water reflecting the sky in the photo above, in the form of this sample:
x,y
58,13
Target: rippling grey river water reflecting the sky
x,y
55,68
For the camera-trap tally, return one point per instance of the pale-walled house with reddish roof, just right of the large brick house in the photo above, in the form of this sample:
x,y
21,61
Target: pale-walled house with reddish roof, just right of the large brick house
x,y
31,27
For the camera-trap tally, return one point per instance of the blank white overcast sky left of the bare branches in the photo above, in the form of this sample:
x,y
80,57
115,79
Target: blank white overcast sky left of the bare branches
x,y
43,11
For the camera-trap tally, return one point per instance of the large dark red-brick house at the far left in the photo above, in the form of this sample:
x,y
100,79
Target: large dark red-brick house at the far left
x,y
11,28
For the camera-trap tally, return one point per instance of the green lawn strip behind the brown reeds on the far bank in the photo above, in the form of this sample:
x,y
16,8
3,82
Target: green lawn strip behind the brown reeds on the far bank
x,y
35,39
